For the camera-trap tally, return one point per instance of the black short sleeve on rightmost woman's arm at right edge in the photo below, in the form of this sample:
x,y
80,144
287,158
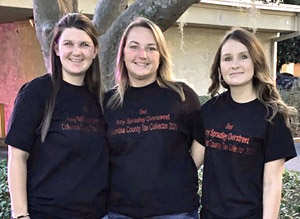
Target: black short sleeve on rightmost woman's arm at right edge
x,y
279,140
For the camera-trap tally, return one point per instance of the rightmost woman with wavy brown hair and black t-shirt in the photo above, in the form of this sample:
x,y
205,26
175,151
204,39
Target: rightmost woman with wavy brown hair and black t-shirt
x,y
246,134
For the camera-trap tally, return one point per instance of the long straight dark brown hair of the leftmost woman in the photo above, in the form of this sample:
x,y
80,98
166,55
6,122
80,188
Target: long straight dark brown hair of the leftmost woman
x,y
92,77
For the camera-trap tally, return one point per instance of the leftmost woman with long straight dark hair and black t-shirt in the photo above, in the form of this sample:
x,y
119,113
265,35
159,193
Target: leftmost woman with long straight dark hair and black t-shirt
x,y
58,155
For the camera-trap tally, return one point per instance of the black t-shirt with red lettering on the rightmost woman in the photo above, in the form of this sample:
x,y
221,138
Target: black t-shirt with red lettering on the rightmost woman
x,y
238,142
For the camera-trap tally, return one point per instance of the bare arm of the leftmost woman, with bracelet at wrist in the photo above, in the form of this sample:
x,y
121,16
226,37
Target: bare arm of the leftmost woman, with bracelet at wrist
x,y
17,180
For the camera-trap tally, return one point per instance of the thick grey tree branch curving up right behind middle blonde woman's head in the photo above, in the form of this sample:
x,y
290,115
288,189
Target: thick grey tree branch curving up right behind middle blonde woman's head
x,y
163,13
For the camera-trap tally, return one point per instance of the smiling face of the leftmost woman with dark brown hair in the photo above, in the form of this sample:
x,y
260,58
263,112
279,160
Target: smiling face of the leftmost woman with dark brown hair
x,y
76,51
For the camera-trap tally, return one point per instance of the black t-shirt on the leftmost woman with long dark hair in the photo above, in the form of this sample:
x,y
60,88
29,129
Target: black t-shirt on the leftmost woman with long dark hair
x,y
67,175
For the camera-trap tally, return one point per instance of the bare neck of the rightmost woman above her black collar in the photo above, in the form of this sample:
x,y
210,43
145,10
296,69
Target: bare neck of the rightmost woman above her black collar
x,y
242,95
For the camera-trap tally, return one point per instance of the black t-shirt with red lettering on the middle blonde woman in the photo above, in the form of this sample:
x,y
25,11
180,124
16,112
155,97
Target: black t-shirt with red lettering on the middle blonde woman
x,y
152,172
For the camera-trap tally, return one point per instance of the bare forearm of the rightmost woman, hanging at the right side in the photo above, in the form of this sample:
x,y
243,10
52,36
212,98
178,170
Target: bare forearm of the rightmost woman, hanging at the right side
x,y
272,185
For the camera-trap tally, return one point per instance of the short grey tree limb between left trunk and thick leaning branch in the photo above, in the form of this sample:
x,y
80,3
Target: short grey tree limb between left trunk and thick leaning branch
x,y
106,12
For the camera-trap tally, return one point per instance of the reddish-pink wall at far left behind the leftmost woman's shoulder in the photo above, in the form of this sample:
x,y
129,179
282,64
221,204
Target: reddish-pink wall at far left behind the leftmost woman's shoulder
x,y
21,61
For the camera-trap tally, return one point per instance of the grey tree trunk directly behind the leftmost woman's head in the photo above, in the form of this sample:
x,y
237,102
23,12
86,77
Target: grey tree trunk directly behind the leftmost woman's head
x,y
46,15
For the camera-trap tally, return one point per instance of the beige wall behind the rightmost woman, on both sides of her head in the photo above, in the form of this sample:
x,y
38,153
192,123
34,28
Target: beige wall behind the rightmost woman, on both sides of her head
x,y
200,44
